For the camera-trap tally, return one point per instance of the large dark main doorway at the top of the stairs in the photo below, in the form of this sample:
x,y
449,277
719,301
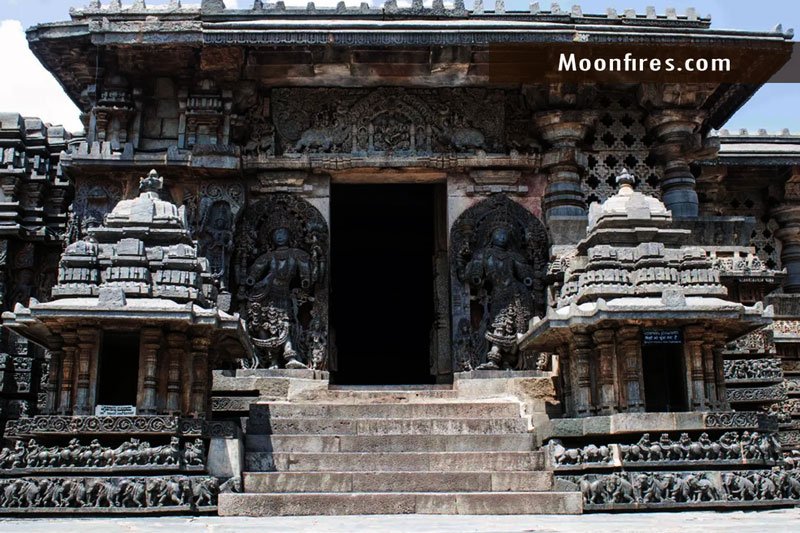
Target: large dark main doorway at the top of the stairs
x,y
382,247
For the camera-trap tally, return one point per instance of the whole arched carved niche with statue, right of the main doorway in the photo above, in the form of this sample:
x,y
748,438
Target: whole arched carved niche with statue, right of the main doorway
x,y
498,261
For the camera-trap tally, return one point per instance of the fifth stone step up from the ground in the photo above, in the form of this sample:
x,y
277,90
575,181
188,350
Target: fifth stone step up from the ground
x,y
386,426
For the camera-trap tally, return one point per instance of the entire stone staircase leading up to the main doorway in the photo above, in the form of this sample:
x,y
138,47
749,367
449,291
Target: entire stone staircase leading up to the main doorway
x,y
393,451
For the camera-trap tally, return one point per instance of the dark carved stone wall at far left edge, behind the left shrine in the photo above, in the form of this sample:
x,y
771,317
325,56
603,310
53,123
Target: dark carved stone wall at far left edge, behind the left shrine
x,y
34,196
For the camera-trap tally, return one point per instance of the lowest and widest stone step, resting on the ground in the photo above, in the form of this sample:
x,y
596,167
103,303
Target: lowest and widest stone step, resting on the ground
x,y
363,503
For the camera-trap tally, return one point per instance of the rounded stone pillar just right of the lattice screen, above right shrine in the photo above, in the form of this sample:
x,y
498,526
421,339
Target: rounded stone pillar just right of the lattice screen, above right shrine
x,y
677,141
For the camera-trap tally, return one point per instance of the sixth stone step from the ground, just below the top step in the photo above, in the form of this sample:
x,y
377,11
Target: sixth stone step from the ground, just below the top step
x,y
434,410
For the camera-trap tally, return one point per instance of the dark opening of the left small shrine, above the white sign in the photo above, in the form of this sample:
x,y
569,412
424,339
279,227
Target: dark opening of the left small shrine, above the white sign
x,y
118,373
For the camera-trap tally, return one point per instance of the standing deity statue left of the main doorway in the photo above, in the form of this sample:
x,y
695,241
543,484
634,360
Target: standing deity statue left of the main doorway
x,y
273,281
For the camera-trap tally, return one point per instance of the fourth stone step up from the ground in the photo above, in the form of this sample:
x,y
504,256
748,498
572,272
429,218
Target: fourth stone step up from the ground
x,y
503,442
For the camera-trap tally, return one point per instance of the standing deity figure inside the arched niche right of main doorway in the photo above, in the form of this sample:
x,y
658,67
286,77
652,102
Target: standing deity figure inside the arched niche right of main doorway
x,y
502,280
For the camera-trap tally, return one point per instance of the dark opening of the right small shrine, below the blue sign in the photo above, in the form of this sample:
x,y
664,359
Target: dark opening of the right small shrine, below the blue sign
x,y
664,378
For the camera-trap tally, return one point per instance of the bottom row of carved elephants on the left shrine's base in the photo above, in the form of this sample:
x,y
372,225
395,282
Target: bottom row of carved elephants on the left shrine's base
x,y
131,493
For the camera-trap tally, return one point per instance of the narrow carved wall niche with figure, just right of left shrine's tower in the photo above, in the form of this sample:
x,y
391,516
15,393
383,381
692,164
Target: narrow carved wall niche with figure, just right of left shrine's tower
x,y
219,213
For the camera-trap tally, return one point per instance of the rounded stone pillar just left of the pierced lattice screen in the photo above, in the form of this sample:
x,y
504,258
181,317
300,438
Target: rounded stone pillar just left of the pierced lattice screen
x,y
562,131
